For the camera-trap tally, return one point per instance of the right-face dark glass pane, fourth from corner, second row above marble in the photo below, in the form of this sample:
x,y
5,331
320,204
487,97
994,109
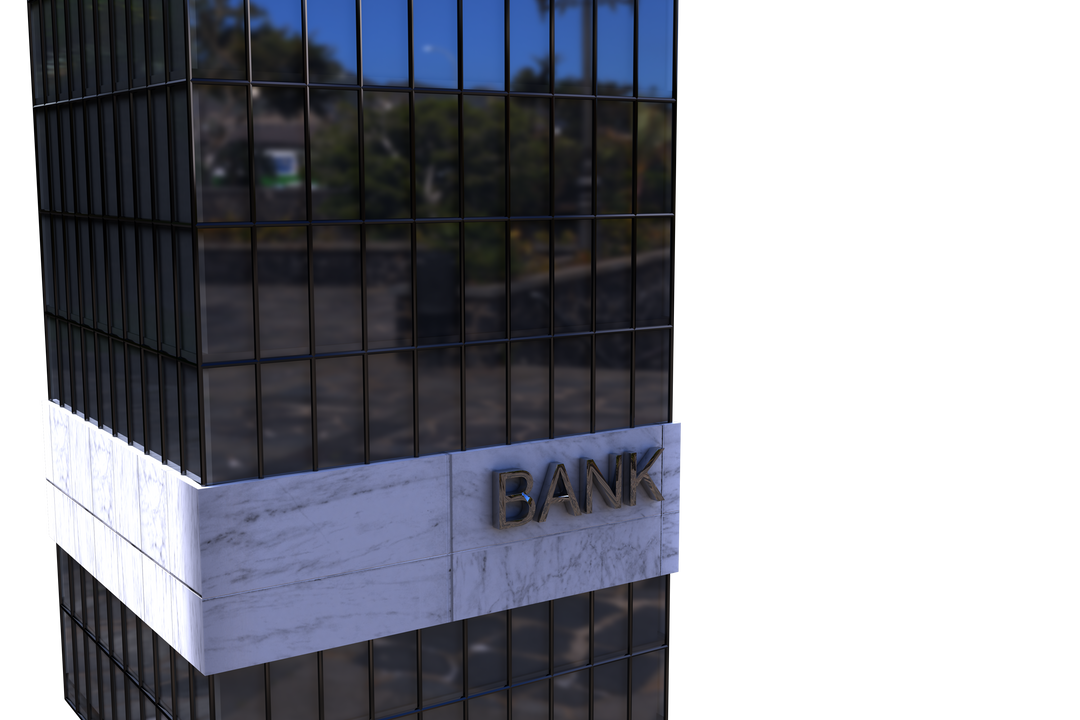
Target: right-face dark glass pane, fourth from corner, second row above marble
x,y
389,287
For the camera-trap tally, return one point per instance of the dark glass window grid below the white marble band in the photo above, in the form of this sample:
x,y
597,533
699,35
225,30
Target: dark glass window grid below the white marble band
x,y
577,657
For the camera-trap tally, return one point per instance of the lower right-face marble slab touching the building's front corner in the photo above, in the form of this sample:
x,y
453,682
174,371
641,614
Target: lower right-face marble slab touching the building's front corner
x,y
291,620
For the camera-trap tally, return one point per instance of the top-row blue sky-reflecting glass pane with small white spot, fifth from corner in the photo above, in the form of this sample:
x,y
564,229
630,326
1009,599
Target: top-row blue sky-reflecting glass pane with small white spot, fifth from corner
x,y
436,44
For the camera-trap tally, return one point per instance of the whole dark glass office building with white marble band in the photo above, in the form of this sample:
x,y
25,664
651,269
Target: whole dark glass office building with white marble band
x,y
360,339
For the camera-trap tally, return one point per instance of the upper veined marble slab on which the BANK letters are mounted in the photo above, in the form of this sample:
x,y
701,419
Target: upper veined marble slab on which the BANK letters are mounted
x,y
472,485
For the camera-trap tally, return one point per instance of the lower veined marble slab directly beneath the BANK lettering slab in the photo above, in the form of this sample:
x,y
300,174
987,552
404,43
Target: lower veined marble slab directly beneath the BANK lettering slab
x,y
517,575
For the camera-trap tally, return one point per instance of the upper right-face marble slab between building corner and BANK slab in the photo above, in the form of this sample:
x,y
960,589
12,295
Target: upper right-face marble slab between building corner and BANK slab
x,y
277,531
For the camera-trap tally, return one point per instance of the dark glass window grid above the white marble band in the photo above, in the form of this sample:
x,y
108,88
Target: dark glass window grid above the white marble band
x,y
123,94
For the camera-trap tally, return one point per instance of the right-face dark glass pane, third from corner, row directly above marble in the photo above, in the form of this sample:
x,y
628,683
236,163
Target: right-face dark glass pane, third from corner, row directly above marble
x,y
341,402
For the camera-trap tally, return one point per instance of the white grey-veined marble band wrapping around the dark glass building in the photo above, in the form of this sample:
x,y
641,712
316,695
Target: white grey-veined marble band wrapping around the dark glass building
x,y
254,572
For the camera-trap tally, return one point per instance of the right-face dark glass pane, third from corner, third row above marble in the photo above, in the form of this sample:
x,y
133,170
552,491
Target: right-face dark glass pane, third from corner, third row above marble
x,y
335,156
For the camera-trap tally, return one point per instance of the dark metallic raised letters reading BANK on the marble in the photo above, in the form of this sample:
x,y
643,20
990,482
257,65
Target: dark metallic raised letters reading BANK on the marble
x,y
515,502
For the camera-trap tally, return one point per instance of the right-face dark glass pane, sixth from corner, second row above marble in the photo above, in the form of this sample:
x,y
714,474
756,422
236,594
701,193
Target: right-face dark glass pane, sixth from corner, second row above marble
x,y
485,275
